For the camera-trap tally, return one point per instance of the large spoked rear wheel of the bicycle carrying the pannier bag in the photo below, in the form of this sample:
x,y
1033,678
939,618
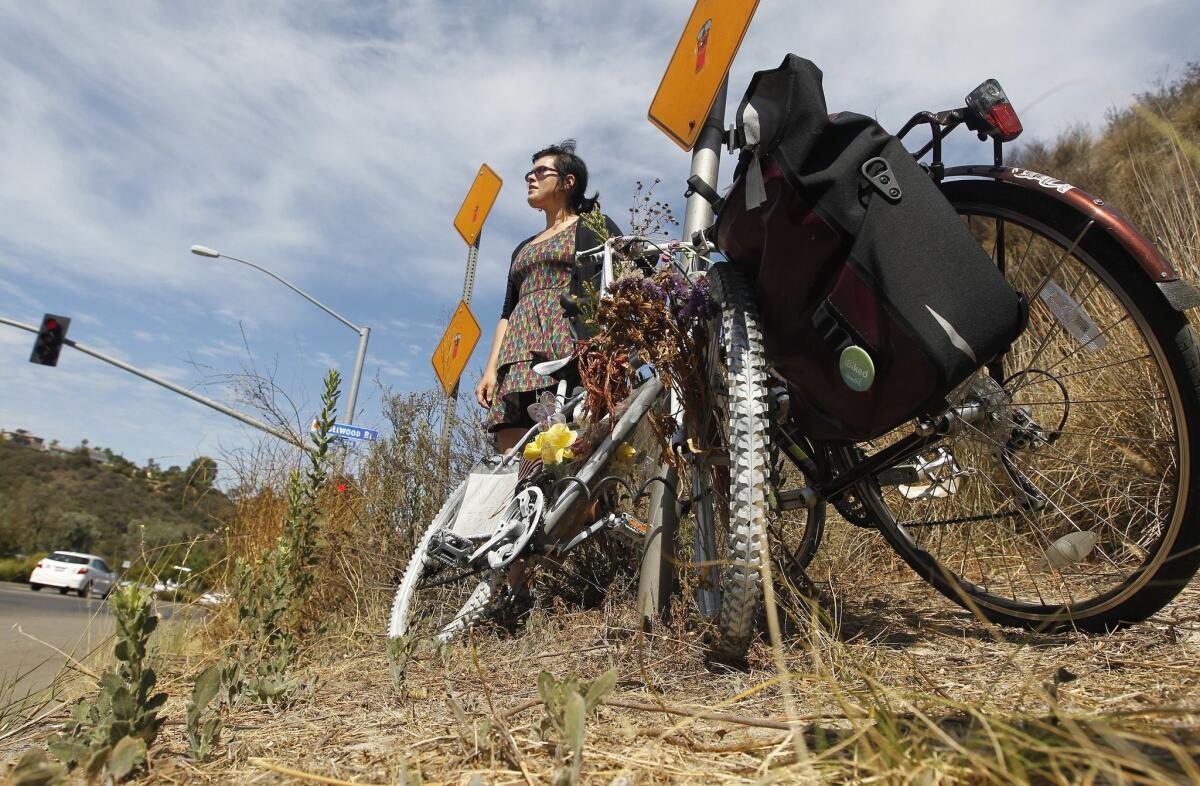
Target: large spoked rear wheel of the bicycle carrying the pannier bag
x,y
1123,470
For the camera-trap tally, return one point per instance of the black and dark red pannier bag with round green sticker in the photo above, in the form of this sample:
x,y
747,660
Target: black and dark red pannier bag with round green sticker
x,y
875,299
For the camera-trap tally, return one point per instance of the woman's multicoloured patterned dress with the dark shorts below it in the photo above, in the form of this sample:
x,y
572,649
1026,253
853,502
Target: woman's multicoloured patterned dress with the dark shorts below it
x,y
538,329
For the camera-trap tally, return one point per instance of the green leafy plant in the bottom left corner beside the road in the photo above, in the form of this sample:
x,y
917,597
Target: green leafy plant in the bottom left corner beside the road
x,y
115,731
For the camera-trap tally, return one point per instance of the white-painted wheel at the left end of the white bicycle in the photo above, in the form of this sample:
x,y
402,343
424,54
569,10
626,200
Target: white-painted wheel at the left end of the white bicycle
x,y
446,610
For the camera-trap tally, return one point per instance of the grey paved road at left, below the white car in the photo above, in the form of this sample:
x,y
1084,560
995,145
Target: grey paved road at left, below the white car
x,y
74,625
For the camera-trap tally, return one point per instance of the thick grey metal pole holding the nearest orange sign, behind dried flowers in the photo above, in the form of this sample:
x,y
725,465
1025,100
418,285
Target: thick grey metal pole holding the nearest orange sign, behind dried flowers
x,y
655,583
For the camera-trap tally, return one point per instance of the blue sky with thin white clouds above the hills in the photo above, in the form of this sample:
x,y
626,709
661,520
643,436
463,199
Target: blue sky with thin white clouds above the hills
x,y
334,142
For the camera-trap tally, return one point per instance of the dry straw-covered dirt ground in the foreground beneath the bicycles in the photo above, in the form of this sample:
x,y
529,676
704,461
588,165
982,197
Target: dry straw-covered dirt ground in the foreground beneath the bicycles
x,y
896,686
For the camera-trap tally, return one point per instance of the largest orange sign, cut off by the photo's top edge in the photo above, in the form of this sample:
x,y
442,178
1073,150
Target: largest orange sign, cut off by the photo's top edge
x,y
701,62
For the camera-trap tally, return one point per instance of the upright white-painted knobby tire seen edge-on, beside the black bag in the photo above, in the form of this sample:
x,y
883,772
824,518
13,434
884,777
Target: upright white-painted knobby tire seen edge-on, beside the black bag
x,y
740,382
